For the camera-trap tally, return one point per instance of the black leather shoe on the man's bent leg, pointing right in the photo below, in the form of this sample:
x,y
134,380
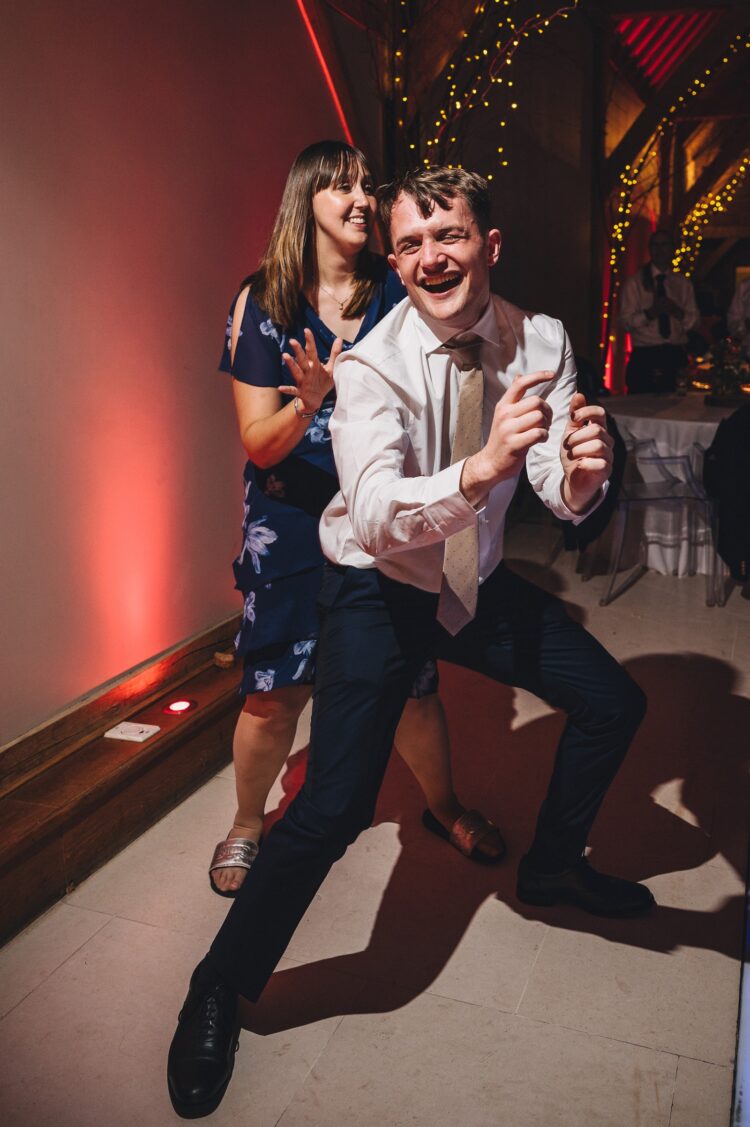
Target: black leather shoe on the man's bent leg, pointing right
x,y
586,889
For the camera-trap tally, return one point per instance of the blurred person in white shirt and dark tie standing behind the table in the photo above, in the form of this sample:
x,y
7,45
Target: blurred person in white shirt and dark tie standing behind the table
x,y
658,308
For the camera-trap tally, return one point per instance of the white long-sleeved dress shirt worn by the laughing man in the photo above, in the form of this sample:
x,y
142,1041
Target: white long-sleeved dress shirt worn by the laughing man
x,y
392,432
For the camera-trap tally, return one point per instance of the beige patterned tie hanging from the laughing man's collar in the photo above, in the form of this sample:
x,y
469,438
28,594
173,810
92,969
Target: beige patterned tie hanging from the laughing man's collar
x,y
461,582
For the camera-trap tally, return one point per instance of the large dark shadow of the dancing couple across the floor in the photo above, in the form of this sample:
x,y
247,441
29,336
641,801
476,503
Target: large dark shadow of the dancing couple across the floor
x,y
434,894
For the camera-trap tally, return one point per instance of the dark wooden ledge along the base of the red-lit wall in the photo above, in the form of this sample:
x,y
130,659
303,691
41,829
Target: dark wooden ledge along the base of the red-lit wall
x,y
70,798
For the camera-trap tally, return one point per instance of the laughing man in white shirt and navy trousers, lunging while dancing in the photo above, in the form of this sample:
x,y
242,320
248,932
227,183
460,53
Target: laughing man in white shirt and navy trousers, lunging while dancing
x,y
430,437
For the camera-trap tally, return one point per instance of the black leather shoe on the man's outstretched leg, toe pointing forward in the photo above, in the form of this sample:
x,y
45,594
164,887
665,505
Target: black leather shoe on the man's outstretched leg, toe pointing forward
x,y
202,1051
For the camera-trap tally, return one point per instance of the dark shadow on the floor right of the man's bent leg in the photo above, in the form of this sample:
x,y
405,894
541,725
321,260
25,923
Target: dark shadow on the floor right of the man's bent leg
x,y
678,804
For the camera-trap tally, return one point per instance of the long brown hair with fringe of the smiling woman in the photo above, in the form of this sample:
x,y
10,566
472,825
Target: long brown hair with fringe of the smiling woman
x,y
289,262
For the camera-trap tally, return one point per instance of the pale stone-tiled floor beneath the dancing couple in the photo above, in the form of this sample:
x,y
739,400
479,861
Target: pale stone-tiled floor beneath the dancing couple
x,y
418,991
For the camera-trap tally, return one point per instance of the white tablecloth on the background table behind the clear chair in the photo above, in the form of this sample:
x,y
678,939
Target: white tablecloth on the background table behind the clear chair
x,y
675,424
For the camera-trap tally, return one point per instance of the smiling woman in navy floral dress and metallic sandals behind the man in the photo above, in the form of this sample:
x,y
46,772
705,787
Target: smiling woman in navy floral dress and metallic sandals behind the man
x,y
319,290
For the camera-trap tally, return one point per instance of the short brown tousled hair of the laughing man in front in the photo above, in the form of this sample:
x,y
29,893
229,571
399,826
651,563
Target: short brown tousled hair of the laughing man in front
x,y
430,188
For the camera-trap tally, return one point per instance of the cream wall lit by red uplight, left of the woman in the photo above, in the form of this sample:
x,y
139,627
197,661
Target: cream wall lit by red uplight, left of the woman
x,y
143,153
